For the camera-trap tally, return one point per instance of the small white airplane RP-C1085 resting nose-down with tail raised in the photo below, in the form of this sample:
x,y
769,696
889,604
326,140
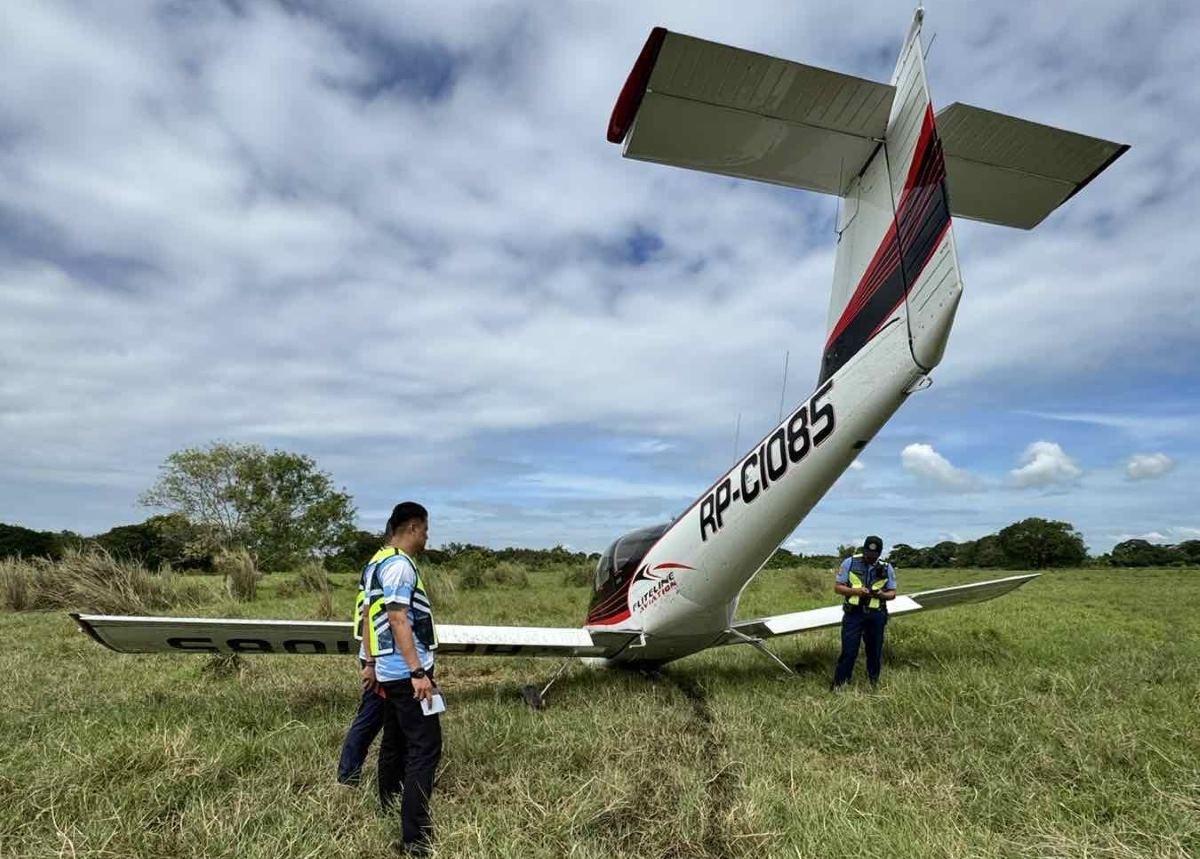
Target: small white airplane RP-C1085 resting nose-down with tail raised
x,y
902,171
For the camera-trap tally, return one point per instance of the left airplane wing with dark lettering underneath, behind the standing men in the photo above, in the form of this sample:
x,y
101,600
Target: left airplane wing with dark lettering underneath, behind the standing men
x,y
128,634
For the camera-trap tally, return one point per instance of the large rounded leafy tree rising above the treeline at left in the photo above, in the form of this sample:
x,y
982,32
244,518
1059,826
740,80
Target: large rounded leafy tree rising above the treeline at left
x,y
277,504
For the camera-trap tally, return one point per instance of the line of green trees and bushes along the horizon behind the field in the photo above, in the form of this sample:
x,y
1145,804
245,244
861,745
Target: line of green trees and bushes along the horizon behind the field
x,y
285,513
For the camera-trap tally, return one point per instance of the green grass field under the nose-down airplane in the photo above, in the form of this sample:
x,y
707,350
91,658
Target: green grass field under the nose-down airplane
x,y
1060,720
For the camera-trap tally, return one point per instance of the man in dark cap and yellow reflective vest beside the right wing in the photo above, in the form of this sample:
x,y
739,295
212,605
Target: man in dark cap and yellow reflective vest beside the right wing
x,y
867,586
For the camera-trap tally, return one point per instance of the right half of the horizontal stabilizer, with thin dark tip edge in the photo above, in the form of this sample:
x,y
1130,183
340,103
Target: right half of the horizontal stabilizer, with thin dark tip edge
x,y
1012,172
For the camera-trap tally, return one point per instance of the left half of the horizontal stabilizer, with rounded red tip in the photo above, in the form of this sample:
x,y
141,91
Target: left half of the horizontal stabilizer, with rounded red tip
x,y
710,107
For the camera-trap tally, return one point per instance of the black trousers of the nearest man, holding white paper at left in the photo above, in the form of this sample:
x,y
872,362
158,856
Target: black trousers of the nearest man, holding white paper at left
x,y
409,760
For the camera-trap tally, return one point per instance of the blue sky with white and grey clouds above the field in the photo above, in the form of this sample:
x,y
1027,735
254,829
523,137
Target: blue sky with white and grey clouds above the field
x,y
392,236
